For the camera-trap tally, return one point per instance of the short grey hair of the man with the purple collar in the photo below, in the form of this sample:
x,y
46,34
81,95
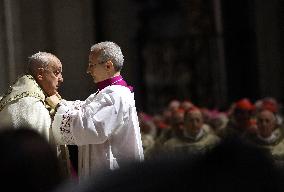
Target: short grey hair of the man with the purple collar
x,y
109,51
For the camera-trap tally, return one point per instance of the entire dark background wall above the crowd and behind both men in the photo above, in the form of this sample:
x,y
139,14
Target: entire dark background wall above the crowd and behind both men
x,y
211,52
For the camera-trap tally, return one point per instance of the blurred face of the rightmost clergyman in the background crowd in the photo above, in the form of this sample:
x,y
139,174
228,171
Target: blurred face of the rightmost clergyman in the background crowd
x,y
266,122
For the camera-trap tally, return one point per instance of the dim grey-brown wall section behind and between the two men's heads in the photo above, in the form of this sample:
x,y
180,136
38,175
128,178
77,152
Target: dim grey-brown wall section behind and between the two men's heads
x,y
65,28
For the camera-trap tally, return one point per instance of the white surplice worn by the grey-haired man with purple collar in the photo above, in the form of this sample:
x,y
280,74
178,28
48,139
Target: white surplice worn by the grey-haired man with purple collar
x,y
108,122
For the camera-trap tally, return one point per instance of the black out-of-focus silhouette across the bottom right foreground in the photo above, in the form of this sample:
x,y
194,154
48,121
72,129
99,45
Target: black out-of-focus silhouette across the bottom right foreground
x,y
231,166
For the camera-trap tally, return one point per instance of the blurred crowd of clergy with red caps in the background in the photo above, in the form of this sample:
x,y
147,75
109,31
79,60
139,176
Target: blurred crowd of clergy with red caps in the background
x,y
184,126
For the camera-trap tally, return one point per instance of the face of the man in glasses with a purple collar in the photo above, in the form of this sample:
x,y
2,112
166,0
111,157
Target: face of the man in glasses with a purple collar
x,y
96,69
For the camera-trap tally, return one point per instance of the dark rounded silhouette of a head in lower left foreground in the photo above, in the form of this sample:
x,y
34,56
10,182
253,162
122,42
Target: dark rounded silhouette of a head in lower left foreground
x,y
28,162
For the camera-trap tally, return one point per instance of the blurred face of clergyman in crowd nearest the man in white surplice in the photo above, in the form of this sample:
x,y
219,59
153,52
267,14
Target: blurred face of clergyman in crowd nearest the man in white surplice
x,y
193,122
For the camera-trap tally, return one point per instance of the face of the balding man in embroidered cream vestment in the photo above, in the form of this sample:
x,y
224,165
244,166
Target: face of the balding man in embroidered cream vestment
x,y
51,77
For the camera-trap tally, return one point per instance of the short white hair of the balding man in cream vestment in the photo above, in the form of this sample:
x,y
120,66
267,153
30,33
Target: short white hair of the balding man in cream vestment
x,y
40,59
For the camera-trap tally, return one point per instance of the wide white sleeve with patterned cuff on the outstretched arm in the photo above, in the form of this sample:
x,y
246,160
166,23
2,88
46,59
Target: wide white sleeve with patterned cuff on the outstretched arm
x,y
87,123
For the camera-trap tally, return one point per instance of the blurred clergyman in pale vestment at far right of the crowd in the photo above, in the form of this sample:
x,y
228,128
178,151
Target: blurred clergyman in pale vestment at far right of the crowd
x,y
269,135
